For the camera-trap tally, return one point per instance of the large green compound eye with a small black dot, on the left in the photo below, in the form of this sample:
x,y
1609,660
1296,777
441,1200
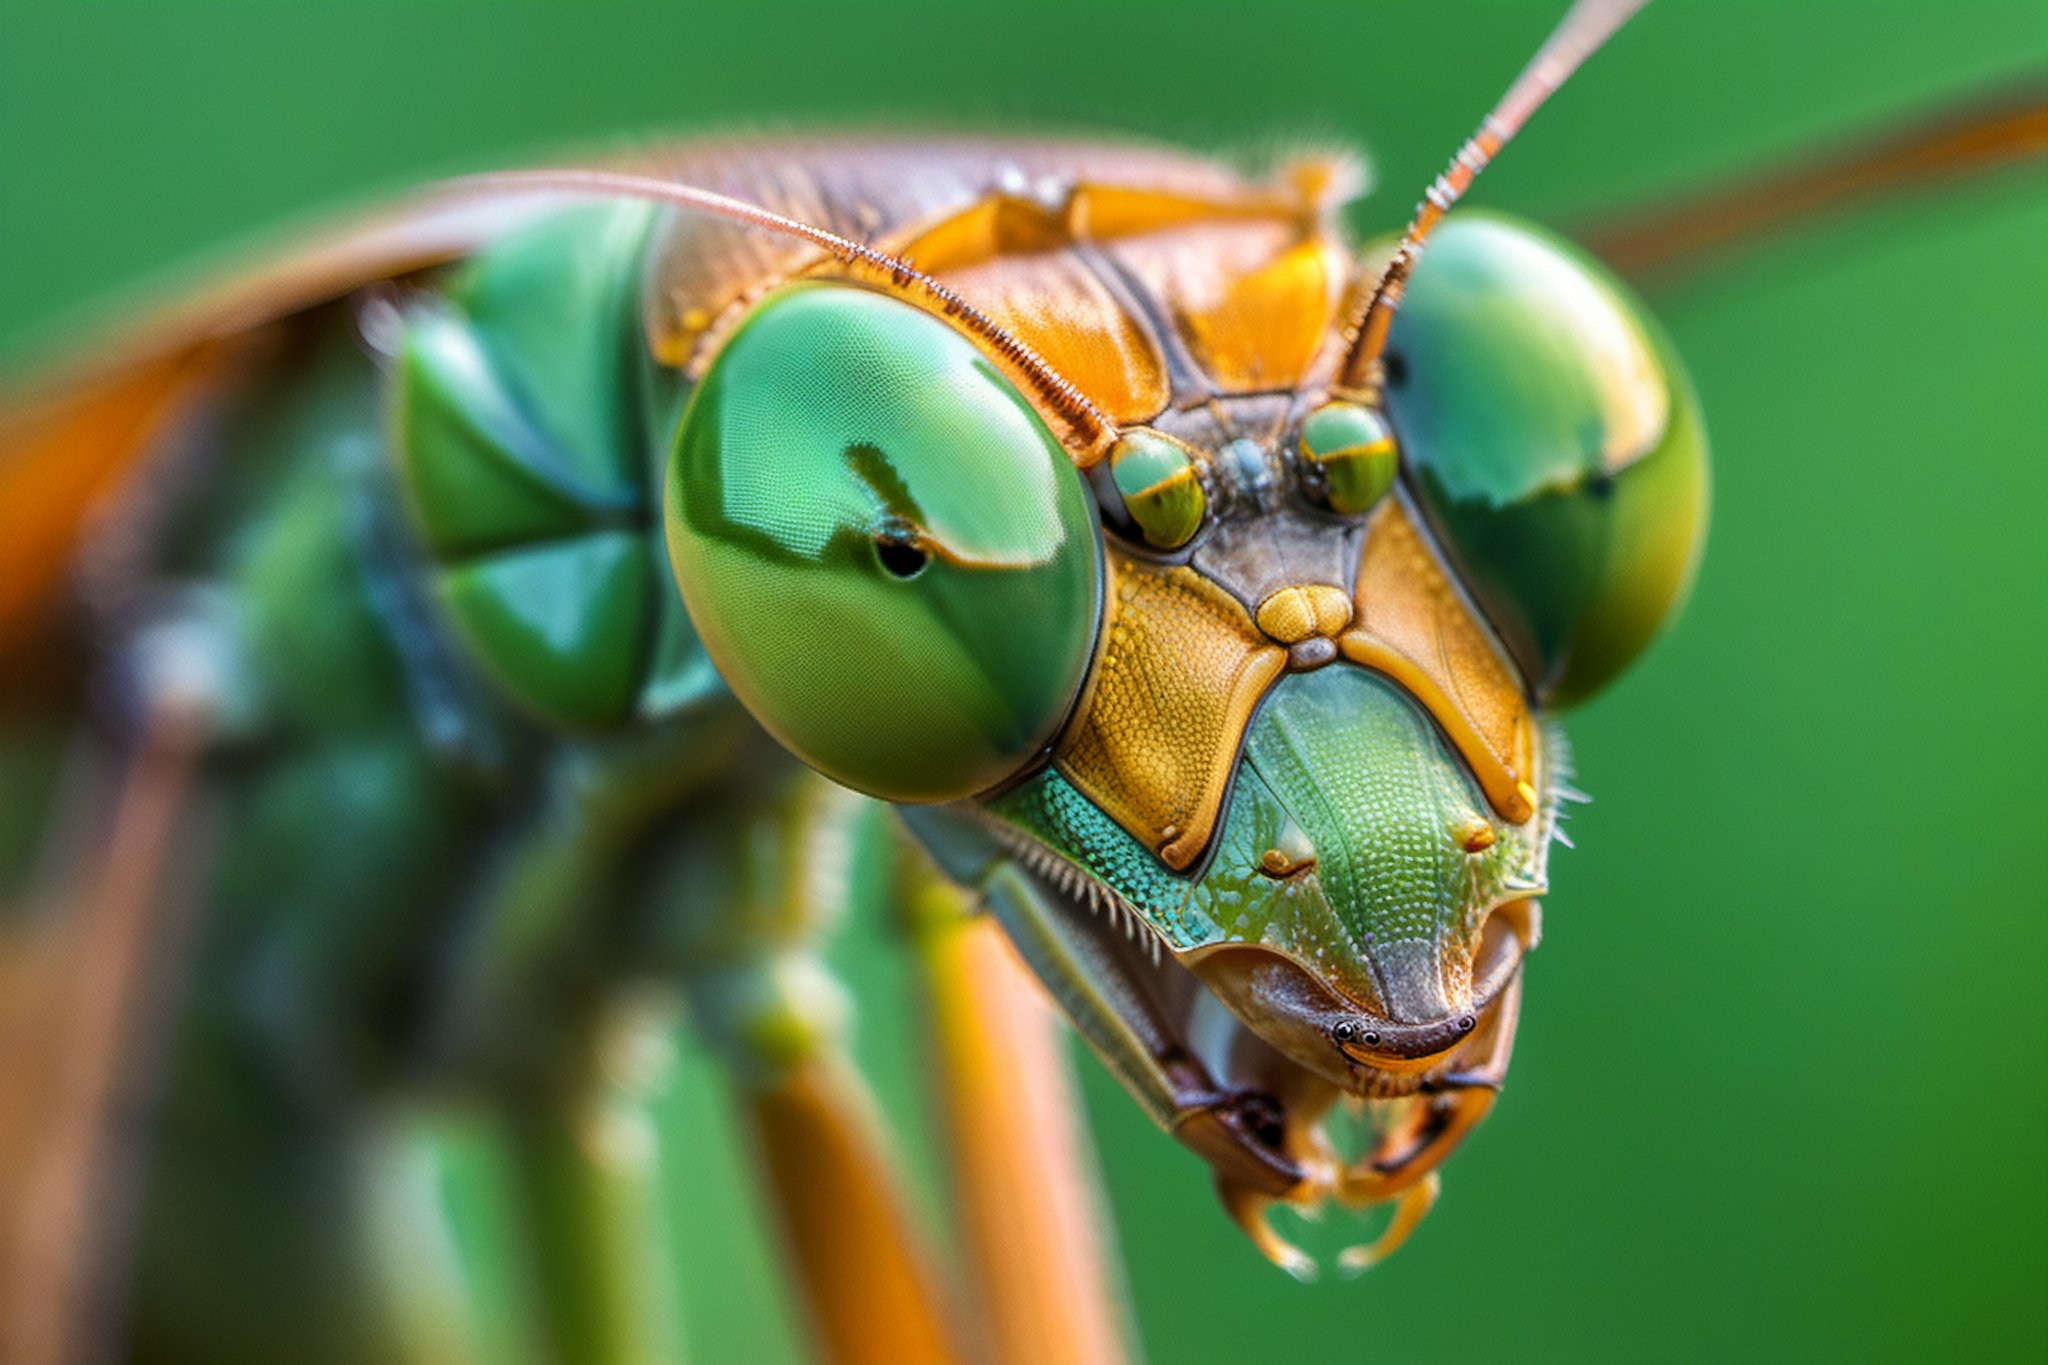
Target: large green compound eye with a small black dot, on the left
x,y
888,554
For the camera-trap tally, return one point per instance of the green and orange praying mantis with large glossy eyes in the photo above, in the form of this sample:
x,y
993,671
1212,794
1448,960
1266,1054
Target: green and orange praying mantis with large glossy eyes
x,y
568,441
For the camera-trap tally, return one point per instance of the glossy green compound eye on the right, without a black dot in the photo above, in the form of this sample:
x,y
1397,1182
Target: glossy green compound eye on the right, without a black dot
x,y
1555,443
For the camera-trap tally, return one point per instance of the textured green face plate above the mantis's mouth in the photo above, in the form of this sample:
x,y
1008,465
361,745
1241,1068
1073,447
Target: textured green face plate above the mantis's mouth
x,y
1349,781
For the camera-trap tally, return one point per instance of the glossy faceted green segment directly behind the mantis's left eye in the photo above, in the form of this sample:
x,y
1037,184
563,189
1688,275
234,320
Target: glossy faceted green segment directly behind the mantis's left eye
x,y
527,425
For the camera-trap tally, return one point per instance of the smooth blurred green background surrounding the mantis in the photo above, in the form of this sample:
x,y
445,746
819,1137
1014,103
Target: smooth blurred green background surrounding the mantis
x,y
1783,1082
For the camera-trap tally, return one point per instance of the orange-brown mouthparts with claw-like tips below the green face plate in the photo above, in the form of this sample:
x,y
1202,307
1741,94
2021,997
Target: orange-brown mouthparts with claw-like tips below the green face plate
x,y
1250,1051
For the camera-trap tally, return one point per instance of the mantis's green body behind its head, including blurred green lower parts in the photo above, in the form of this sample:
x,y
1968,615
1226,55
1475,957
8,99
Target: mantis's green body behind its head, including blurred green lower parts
x,y
458,705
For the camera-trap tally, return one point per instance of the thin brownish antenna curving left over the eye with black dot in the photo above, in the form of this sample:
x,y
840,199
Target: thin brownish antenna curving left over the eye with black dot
x,y
1058,392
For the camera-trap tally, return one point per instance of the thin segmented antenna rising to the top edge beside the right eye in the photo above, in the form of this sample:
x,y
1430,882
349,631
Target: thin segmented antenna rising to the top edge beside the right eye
x,y
1578,38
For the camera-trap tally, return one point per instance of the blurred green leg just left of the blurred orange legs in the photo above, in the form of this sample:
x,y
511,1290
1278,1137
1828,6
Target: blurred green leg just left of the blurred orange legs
x,y
531,1008
